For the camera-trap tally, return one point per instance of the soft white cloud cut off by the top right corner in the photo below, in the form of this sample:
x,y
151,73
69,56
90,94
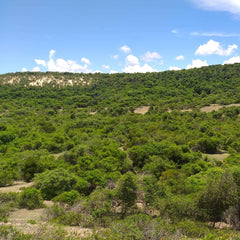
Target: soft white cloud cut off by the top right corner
x,y
232,6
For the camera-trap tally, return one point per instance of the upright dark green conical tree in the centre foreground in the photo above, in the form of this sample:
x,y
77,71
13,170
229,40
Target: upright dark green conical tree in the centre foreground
x,y
127,191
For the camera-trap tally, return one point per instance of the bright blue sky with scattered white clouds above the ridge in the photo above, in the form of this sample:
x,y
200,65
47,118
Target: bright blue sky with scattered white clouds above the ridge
x,y
117,36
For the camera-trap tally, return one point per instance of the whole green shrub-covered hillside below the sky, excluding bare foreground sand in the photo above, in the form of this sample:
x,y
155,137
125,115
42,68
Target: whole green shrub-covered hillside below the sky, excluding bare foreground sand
x,y
128,156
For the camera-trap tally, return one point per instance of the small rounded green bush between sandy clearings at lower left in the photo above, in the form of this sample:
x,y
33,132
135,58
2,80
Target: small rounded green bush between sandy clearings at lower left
x,y
30,198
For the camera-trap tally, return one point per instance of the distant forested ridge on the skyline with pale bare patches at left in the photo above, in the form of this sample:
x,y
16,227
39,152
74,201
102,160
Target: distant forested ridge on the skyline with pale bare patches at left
x,y
177,89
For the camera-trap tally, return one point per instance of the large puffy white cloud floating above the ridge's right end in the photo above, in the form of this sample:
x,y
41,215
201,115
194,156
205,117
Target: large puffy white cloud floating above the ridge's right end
x,y
213,47
